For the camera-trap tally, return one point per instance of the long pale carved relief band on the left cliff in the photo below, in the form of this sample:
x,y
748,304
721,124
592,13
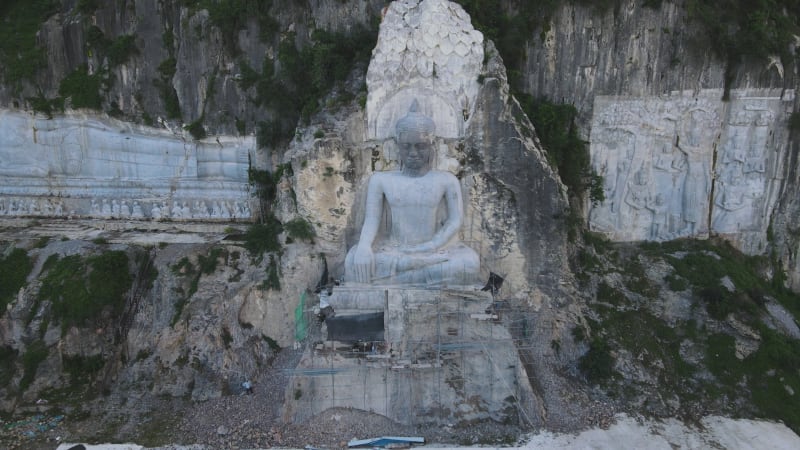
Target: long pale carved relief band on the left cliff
x,y
88,166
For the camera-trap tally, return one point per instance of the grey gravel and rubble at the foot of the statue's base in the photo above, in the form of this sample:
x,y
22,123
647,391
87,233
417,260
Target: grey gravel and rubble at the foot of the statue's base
x,y
253,421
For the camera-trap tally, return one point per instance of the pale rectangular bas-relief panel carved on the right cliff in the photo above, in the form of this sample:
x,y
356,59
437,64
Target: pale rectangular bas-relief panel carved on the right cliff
x,y
658,162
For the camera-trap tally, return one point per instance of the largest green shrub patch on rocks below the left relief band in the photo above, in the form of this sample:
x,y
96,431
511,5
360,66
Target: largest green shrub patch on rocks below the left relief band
x,y
79,289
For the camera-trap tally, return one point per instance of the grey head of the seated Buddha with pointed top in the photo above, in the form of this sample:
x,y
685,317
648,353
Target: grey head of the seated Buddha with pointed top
x,y
415,135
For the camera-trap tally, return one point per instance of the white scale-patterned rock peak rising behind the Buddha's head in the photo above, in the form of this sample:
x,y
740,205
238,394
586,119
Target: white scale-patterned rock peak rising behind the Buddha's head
x,y
429,51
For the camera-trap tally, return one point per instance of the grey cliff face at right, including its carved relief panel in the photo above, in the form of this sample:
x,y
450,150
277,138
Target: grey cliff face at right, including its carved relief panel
x,y
641,77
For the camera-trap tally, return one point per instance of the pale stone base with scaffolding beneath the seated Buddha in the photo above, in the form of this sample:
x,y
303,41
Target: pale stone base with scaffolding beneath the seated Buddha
x,y
461,349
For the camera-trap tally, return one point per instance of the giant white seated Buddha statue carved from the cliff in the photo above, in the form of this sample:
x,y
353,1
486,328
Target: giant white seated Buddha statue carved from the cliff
x,y
412,219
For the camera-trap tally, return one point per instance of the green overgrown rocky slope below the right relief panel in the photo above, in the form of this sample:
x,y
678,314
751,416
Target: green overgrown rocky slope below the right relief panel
x,y
677,355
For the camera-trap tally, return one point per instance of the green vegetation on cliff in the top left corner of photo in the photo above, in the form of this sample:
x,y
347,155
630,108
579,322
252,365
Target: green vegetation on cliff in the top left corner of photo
x,y
20,20
